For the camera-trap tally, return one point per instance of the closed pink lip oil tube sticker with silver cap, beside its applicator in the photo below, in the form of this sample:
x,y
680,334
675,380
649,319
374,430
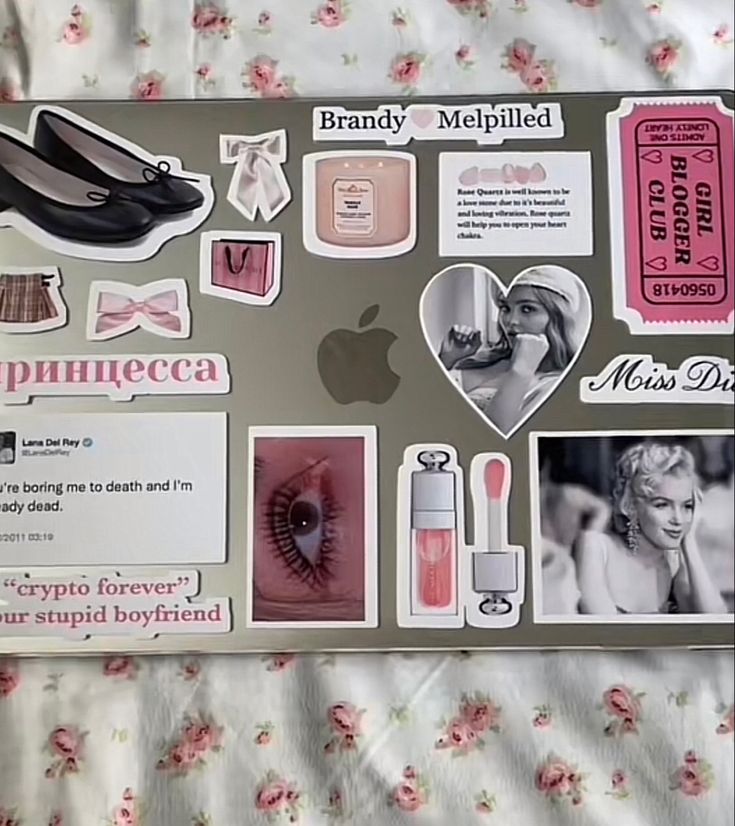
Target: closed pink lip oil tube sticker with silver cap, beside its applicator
x,y
429,538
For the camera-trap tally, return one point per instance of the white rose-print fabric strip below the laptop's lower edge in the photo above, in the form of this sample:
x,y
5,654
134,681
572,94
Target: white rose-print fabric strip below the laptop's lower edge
x,y
270,726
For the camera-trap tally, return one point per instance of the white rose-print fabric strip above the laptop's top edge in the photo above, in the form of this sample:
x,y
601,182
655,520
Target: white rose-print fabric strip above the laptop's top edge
x,y
240,48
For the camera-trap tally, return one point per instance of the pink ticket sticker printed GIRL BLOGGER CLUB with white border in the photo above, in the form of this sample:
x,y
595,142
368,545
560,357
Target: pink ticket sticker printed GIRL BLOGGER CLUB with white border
x,y
671,202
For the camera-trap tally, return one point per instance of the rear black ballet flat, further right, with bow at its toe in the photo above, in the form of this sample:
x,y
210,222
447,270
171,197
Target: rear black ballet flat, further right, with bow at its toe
x,y
88,155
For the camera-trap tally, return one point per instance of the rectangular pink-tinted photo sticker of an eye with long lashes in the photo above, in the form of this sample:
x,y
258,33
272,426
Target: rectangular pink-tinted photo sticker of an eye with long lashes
x,y
312,547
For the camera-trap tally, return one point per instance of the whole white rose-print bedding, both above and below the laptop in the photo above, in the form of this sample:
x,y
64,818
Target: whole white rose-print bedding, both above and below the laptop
x,y
537,739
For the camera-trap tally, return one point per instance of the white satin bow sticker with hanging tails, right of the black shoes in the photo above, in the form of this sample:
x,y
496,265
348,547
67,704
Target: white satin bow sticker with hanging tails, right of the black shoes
x,y
258,182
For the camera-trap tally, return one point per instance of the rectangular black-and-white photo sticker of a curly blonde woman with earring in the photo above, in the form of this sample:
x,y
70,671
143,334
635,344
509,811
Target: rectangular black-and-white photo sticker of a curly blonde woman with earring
x,y
632,525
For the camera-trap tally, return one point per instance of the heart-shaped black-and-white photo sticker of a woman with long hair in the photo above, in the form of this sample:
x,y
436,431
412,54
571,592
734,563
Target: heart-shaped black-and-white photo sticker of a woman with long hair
x,y
506,349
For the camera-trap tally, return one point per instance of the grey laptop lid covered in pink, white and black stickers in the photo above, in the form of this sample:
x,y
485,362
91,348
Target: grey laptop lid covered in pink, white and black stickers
x,y
206,443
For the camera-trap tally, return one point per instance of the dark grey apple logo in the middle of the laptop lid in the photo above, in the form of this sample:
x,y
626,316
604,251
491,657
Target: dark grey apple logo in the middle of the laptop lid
x,y
354,365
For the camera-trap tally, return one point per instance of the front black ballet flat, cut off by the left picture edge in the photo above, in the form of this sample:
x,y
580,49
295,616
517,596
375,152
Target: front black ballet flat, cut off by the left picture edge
x,y
64,205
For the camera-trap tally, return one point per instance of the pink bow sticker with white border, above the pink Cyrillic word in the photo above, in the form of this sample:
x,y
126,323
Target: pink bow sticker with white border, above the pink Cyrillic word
x,y
116,308
